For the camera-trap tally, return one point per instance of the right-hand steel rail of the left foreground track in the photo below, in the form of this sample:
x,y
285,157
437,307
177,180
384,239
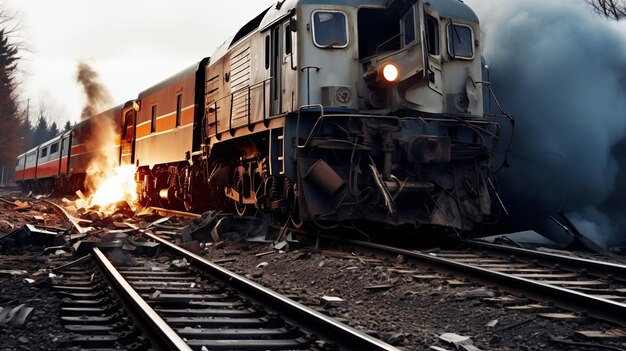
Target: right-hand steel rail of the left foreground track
x,y
320,324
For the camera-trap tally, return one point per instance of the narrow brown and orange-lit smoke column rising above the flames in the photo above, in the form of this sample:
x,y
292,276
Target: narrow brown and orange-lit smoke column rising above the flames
x,y
103,138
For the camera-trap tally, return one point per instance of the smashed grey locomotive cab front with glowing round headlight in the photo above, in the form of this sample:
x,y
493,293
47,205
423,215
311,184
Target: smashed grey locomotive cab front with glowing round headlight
x,y
428,64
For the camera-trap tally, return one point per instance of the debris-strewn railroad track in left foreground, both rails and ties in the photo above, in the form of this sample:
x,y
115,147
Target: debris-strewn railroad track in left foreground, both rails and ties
x,y
152,304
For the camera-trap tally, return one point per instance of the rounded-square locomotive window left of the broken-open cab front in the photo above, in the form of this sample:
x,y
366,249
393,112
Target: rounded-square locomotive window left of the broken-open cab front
x,y
330,29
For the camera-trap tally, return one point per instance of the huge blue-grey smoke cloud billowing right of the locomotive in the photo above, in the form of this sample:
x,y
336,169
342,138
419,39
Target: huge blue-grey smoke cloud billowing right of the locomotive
x,y
561,70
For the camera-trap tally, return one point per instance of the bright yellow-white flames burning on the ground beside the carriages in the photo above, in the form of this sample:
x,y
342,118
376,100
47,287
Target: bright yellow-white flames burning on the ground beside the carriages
x,y
120,186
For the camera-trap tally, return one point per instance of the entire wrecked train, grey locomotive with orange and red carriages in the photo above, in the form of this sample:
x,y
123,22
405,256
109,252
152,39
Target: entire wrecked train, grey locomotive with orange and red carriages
x,y
351,112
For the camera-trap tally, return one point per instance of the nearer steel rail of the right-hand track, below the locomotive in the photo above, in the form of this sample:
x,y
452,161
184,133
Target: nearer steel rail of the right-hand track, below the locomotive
x,y
561,297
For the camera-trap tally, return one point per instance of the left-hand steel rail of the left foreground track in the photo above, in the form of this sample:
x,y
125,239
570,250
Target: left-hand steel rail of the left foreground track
x,y
167,337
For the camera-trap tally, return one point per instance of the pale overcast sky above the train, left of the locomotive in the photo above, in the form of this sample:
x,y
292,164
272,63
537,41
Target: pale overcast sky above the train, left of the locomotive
x,y
132,44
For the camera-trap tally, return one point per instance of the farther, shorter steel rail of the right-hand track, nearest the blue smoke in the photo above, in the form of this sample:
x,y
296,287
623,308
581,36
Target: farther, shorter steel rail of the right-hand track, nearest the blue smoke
x,y
618,271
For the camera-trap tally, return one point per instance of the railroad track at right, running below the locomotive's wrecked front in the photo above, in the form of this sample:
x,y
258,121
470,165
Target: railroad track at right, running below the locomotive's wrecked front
x,y
595,288
